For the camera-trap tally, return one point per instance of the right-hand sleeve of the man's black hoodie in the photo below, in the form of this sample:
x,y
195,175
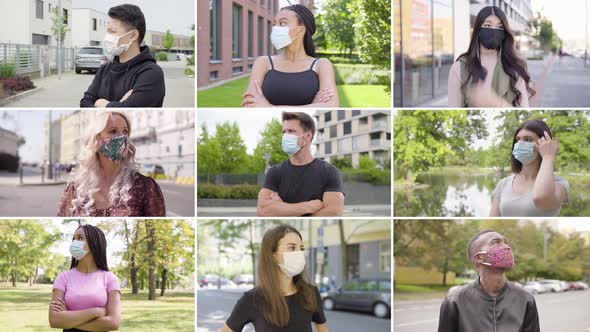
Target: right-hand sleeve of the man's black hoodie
x,y
148,91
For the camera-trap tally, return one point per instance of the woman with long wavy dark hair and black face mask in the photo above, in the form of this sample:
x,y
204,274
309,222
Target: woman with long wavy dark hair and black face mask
x,y
490,73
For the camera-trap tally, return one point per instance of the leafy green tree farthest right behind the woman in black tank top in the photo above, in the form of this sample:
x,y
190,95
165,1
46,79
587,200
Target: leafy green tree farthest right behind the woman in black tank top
x,y
373,34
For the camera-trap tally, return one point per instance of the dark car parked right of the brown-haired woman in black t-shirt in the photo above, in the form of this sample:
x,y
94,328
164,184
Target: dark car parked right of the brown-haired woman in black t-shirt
x,y
370,295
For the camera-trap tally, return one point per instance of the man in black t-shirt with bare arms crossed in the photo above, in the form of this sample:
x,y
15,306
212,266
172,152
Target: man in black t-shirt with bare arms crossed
x,y
301,185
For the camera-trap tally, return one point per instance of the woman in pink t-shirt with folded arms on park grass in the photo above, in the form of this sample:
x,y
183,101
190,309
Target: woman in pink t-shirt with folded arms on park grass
x,y
86,297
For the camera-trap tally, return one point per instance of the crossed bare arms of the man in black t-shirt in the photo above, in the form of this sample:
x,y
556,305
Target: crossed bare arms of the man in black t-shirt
x,y
270,204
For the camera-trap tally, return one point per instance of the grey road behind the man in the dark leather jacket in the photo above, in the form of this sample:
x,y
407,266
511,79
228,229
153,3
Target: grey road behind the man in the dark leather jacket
x,y
557,312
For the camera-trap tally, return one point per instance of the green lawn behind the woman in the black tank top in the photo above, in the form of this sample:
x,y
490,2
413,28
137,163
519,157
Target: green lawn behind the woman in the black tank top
x,y
230,95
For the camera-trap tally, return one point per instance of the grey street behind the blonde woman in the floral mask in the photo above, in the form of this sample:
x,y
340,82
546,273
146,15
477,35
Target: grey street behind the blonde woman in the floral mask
x,y
37,200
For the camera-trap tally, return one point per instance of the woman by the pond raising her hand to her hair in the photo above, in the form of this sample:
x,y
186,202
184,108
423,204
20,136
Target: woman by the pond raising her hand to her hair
x,y
533,190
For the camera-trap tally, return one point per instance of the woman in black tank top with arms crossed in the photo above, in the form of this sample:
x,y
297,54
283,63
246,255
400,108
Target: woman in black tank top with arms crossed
x,y
294,77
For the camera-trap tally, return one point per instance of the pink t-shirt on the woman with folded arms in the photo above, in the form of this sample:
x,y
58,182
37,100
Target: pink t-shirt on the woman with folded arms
x,y
84,291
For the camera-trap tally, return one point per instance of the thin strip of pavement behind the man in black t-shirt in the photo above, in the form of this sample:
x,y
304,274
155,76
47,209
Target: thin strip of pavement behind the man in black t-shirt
x,y
367,210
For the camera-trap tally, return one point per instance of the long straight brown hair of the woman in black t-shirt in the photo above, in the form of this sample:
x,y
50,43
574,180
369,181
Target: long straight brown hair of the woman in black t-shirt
x,y
268,288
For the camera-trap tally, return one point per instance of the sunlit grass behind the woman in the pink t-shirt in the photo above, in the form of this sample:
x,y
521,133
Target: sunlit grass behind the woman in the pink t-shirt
x,y
25,309
